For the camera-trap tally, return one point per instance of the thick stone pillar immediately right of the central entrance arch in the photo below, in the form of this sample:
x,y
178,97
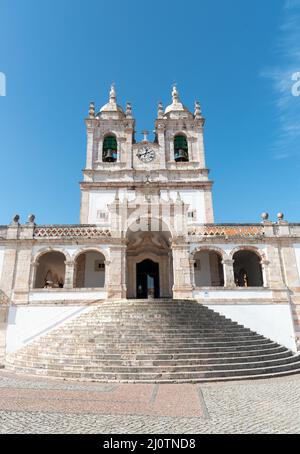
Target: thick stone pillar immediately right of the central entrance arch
x,y
182,287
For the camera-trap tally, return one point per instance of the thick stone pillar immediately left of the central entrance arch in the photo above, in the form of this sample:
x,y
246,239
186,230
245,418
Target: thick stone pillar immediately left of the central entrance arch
x,y
116,279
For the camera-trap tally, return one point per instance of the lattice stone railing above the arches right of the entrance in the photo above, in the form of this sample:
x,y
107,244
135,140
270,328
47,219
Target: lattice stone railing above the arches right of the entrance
x,y
227,230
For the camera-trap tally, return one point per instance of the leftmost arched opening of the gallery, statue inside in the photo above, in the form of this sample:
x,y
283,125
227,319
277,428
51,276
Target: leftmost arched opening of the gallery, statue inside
x,y
50,271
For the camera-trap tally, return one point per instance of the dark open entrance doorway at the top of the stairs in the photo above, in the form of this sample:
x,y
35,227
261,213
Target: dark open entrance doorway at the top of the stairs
x,y
147,279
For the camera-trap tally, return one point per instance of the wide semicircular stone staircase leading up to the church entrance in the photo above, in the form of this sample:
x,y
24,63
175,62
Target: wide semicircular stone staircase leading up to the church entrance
x,y
153,341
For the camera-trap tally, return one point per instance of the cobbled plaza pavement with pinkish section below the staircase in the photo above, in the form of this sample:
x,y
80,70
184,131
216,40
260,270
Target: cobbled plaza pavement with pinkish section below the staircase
x,y
37,405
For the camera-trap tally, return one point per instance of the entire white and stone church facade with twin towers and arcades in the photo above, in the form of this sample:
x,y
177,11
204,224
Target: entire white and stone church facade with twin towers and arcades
x,y
147,231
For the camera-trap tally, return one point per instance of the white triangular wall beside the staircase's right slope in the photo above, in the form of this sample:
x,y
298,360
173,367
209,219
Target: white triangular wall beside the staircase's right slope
x,y
273,321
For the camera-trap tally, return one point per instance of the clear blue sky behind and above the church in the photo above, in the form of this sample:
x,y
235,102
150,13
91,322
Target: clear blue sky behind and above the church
x,y
236,57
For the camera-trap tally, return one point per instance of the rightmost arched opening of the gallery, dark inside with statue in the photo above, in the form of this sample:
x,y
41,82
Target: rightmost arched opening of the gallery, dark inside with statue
x,y
247,269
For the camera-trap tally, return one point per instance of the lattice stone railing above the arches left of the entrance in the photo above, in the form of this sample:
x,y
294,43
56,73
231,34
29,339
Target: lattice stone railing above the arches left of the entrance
x,y
78,231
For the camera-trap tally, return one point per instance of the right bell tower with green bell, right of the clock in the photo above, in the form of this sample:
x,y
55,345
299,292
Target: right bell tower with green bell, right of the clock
x,y
179,134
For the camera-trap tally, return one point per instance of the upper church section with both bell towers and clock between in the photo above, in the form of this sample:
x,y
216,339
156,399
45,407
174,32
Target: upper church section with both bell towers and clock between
x,y
171,166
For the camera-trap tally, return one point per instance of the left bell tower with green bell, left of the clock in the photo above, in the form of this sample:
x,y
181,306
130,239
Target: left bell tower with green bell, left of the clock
x,y
110,137
